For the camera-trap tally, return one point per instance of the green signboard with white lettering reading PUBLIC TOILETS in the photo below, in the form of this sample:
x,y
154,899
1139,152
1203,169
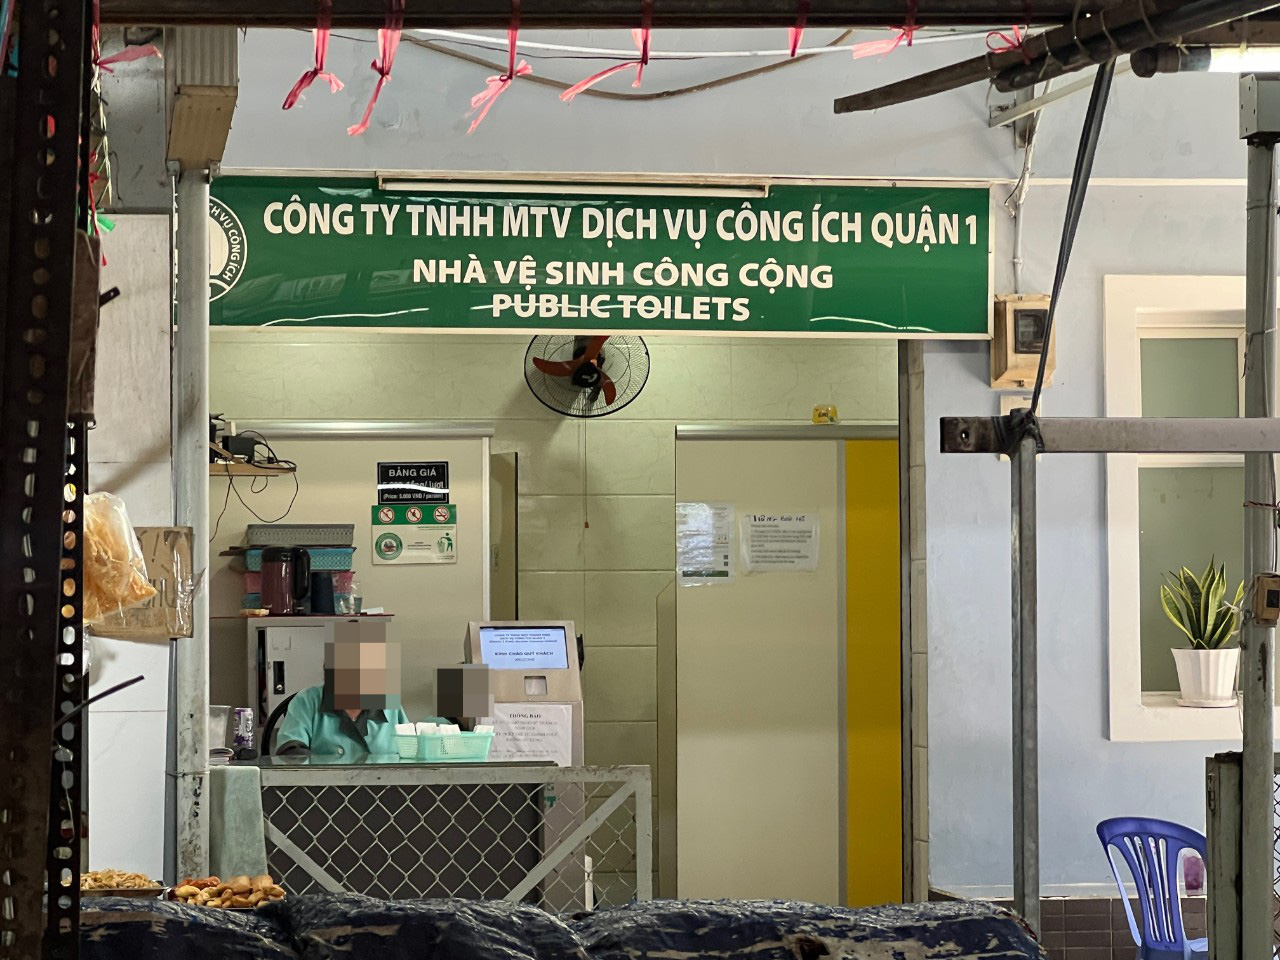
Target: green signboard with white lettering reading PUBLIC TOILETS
x,y
793,260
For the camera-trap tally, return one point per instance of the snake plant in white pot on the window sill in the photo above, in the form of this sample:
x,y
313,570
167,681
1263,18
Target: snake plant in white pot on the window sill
x,y
1200,610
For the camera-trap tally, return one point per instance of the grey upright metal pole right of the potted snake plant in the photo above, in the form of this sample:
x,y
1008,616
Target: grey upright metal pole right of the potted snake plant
x,y
1258,643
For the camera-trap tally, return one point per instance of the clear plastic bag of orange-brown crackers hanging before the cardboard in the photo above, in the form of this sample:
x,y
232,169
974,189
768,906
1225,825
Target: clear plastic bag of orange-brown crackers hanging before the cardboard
x,y
116,575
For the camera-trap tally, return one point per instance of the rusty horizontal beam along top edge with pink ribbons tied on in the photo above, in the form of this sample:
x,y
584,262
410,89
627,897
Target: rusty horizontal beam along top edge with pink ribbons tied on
x,y
591,15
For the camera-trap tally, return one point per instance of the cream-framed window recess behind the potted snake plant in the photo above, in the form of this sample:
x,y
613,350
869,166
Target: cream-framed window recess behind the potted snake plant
x,y
1174,348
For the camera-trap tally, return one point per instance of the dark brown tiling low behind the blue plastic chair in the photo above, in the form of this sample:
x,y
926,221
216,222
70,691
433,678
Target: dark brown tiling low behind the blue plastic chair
x,y
1096,929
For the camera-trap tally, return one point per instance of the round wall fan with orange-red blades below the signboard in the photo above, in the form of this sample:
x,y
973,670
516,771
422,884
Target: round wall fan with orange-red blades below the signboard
x,y
587,377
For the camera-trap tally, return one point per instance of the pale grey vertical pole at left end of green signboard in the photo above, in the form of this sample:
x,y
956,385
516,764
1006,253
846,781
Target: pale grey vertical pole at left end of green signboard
x,y
190,714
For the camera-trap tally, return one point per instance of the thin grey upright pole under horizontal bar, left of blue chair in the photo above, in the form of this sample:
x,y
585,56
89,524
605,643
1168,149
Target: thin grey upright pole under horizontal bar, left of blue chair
x,y
1026,764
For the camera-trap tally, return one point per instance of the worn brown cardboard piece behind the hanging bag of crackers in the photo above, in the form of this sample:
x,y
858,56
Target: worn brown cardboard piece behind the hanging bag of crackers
x,y
167,554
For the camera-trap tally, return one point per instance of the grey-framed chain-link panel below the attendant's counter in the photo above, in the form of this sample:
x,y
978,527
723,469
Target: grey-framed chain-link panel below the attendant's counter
x,y
566,839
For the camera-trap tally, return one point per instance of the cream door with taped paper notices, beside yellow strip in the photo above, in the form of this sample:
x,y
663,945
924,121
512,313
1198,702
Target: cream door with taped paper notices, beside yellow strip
x,y
758,688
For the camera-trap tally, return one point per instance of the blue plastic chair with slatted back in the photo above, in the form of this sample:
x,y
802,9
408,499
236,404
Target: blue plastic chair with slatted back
x,y
1153,849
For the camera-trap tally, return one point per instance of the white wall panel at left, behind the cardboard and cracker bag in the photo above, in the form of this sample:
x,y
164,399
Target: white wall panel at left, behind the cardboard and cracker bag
x,y
130,456
